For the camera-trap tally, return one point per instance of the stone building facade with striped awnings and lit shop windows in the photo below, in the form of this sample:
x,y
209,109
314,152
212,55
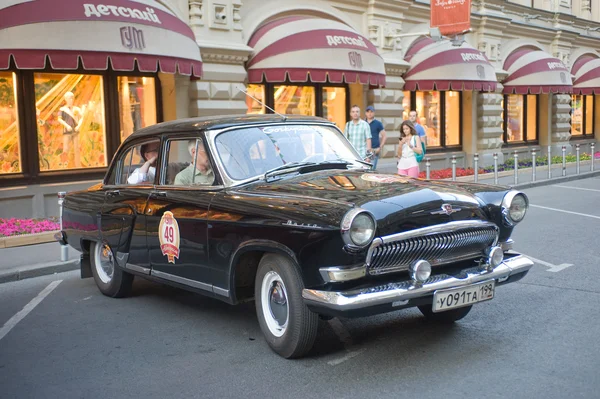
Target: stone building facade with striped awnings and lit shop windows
x,y
525,77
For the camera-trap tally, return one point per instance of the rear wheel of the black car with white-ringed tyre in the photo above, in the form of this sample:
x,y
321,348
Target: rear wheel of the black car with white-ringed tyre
x,y
111,280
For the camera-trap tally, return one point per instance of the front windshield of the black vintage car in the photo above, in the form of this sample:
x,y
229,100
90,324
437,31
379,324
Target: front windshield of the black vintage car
x,y
250,152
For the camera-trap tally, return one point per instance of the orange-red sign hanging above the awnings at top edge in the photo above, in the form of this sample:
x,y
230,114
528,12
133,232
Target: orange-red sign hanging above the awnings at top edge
x,y
452,17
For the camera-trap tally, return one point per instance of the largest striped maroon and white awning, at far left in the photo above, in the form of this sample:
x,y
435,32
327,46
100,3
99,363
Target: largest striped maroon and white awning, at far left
x,y
96,36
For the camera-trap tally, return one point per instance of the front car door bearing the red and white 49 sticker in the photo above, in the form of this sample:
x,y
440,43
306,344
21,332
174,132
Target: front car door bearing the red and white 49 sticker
x,y
177,223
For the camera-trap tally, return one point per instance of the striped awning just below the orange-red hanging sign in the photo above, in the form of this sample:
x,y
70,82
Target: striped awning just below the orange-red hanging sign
x,y
442,66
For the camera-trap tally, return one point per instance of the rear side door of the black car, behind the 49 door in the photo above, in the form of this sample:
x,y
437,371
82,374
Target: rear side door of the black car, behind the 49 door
x,y
122,216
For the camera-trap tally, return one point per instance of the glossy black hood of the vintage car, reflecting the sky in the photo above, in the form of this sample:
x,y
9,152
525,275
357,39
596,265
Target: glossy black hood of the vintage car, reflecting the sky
x,y
398,203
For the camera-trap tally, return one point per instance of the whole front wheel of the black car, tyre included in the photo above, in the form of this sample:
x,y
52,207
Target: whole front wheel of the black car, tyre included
x,y
289,327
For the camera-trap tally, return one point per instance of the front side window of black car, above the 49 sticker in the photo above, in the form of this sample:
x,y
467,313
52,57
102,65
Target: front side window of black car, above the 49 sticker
x,y
183,169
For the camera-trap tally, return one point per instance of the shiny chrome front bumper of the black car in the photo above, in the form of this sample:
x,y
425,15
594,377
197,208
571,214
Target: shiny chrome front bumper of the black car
x,y
399,293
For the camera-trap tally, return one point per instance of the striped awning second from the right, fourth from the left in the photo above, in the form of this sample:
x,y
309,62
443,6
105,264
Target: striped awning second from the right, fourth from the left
x,y
534,71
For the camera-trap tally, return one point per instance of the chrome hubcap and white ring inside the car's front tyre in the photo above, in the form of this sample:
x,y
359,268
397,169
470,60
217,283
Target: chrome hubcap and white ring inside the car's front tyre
x,y
275,305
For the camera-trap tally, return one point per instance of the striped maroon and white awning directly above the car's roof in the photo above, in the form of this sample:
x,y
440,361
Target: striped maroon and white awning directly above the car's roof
x,y
311,49
